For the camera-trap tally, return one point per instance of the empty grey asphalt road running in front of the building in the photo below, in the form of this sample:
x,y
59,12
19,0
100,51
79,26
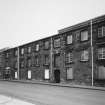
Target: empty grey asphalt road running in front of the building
x,y
52,95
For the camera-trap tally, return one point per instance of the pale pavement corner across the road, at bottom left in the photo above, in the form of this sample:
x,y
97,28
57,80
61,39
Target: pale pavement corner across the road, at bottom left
x,y
5,100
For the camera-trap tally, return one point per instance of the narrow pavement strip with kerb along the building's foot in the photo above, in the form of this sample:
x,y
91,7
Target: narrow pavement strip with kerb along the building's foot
x,y
59,84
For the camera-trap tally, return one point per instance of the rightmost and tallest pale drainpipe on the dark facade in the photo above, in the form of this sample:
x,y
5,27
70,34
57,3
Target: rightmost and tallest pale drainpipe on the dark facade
x,y
92,53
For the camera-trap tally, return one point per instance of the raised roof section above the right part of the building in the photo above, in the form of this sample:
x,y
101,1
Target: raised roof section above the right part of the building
x,y
83,24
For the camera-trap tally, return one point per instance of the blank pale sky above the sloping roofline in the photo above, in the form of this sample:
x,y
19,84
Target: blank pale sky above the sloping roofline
x,y
23,21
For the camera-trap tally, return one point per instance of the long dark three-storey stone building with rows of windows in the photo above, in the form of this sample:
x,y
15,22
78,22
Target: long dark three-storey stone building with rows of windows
x,y
75,55
